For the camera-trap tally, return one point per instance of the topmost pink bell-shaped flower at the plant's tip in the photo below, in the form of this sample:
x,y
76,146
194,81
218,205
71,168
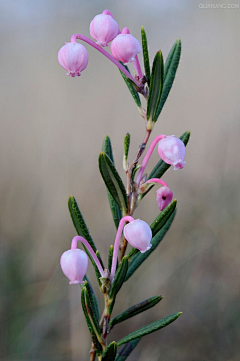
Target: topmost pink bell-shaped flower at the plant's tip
x,y
104,28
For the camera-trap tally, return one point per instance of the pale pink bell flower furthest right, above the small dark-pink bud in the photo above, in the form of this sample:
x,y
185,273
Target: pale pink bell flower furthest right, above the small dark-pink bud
x,y
172,151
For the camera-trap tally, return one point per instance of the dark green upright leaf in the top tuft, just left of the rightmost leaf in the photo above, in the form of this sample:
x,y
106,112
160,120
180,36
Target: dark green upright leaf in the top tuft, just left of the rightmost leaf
x,y
156,86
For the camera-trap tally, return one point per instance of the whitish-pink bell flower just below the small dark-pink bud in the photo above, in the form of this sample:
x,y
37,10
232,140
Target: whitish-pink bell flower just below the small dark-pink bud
x,y
138,233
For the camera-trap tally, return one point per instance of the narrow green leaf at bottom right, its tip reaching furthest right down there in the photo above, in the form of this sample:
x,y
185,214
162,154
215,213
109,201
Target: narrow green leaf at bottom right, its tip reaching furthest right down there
x,y
152,327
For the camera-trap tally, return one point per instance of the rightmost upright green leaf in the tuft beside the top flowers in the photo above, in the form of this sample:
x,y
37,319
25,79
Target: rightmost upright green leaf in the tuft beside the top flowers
x,y
170,69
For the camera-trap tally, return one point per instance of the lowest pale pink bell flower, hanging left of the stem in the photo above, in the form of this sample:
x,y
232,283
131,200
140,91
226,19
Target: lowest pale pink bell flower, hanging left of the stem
x,y
74,264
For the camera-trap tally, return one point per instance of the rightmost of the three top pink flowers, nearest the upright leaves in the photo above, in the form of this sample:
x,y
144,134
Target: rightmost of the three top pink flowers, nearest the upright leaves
x,y
125,47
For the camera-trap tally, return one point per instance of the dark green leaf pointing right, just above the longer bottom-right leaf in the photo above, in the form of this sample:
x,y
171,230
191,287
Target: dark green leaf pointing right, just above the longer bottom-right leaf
x,y
135,310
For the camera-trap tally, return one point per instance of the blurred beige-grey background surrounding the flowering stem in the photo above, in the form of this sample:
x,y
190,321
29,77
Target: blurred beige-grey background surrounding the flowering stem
x,y
52,128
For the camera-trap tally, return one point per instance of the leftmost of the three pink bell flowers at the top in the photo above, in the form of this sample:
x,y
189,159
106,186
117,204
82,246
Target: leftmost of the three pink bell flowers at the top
x,y
74,58
